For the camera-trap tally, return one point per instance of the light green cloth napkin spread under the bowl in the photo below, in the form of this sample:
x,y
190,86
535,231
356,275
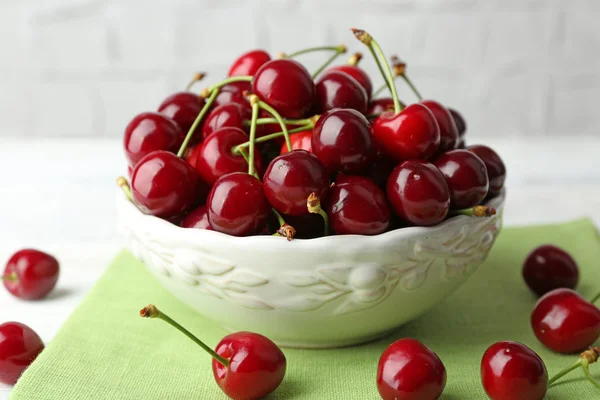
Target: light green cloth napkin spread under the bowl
x,y
106,351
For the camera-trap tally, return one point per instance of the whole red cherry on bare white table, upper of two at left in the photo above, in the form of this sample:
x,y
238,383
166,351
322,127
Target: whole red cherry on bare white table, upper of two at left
x,y
31,274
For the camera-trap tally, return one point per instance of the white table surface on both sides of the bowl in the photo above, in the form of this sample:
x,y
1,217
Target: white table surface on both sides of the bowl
x,y
58,195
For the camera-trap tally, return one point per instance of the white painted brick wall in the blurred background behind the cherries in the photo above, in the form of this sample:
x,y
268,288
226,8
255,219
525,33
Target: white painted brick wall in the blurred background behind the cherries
x,y
85,67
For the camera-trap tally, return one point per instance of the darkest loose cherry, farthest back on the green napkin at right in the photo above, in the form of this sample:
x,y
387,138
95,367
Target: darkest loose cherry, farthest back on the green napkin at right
x,y
547,268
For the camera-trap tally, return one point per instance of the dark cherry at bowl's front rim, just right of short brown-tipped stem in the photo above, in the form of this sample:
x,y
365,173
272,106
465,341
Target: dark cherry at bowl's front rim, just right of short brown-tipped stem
x,y
357,207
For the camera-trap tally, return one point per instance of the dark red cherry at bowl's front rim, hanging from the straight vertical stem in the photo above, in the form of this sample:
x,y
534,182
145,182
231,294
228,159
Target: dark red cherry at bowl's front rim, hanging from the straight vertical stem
x,y
237,205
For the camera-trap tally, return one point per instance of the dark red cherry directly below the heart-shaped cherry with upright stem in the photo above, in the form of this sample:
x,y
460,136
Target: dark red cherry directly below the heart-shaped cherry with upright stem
x,y
418,193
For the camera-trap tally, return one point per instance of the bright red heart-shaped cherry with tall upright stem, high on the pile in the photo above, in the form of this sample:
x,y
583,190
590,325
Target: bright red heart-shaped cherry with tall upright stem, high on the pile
x,y
411,134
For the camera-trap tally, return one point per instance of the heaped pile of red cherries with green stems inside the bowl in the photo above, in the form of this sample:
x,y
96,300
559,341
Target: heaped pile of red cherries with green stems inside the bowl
x,y
244,156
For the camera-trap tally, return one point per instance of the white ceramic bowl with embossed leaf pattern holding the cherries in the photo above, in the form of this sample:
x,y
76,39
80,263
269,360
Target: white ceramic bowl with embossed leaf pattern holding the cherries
x,y
326,292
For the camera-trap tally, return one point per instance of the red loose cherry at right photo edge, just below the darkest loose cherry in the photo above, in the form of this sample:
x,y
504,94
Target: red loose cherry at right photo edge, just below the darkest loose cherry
x,y
565,322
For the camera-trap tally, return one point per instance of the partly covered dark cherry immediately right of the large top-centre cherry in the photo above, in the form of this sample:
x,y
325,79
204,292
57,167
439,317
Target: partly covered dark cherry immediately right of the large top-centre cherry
x,y
337,89
